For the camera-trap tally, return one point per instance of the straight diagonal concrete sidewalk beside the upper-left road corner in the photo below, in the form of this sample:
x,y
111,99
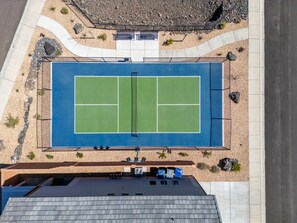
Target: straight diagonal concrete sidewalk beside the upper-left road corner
x,y
18,50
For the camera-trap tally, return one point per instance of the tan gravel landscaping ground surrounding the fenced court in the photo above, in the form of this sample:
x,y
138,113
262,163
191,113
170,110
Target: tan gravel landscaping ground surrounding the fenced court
x,y
239,149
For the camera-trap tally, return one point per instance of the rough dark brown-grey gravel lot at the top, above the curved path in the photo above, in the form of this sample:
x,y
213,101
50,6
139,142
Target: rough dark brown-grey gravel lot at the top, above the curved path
x,y
165,15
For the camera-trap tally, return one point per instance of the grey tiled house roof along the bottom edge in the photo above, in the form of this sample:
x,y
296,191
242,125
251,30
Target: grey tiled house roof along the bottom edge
x,y
202,209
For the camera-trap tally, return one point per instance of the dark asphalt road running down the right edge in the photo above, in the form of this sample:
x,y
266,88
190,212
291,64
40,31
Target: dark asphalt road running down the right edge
x,y
281,110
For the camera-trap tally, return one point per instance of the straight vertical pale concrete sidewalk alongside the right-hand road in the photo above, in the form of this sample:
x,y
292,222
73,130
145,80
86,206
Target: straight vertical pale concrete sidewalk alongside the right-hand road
x,y
256,112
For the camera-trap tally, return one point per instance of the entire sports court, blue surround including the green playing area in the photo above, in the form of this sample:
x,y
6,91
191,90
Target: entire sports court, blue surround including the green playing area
x,y
133,104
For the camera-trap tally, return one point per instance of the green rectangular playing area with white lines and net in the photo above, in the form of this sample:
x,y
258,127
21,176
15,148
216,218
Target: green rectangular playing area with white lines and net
x,y
137,104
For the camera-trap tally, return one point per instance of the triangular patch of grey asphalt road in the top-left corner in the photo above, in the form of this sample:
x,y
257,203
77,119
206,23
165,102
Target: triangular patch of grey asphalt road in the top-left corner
x,y
10,14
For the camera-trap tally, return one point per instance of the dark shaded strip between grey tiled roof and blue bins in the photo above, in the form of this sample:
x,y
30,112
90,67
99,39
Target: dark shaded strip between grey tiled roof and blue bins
x,y
103,186
